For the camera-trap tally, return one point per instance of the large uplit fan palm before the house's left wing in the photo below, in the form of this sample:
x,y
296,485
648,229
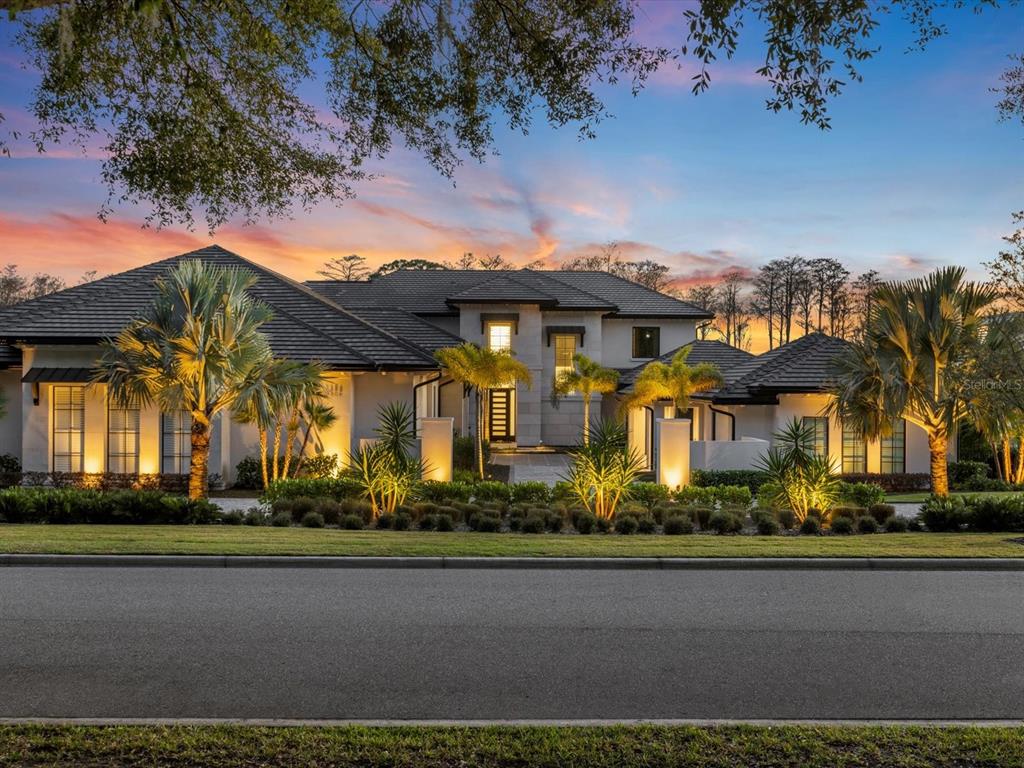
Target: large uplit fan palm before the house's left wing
x,y
192,352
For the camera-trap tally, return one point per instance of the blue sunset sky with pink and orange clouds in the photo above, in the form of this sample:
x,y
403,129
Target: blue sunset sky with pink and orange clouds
x,y
916,173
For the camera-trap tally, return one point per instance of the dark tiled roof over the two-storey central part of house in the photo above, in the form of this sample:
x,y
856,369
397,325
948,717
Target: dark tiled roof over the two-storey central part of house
x,y
435,292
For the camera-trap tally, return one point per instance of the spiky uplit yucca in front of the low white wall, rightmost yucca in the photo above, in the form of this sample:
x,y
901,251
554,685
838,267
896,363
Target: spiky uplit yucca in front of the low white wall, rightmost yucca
x,y
799,480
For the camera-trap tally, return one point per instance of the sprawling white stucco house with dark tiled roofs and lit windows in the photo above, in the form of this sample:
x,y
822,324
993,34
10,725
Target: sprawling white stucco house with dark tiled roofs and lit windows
x,y
377,339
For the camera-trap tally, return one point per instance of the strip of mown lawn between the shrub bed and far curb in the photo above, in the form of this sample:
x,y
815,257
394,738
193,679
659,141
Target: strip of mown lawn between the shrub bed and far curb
x,y
232,540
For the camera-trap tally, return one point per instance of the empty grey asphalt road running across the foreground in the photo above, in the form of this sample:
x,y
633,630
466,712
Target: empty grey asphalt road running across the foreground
x,y
531,645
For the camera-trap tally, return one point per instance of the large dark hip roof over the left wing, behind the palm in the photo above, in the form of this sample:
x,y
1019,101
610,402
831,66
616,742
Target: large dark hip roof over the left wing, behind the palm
x,y
307,326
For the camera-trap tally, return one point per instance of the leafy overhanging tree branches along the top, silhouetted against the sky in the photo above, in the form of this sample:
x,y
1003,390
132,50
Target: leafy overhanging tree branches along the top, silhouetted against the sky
x,y
244,109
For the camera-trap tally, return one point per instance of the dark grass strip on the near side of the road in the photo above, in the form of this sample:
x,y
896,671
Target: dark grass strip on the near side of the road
x,y
787,747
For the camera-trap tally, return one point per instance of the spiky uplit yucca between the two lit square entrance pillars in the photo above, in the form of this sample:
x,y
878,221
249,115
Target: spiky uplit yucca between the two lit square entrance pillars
x,y
604,470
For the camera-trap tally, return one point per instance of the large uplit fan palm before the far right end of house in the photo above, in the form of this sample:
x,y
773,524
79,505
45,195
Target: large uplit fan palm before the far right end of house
x,y
915,362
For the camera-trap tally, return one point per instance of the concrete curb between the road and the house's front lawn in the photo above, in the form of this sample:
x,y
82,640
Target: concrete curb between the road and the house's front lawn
x,y
522,564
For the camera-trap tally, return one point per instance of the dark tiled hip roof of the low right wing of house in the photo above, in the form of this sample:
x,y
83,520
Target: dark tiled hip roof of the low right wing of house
x,y
802,366
